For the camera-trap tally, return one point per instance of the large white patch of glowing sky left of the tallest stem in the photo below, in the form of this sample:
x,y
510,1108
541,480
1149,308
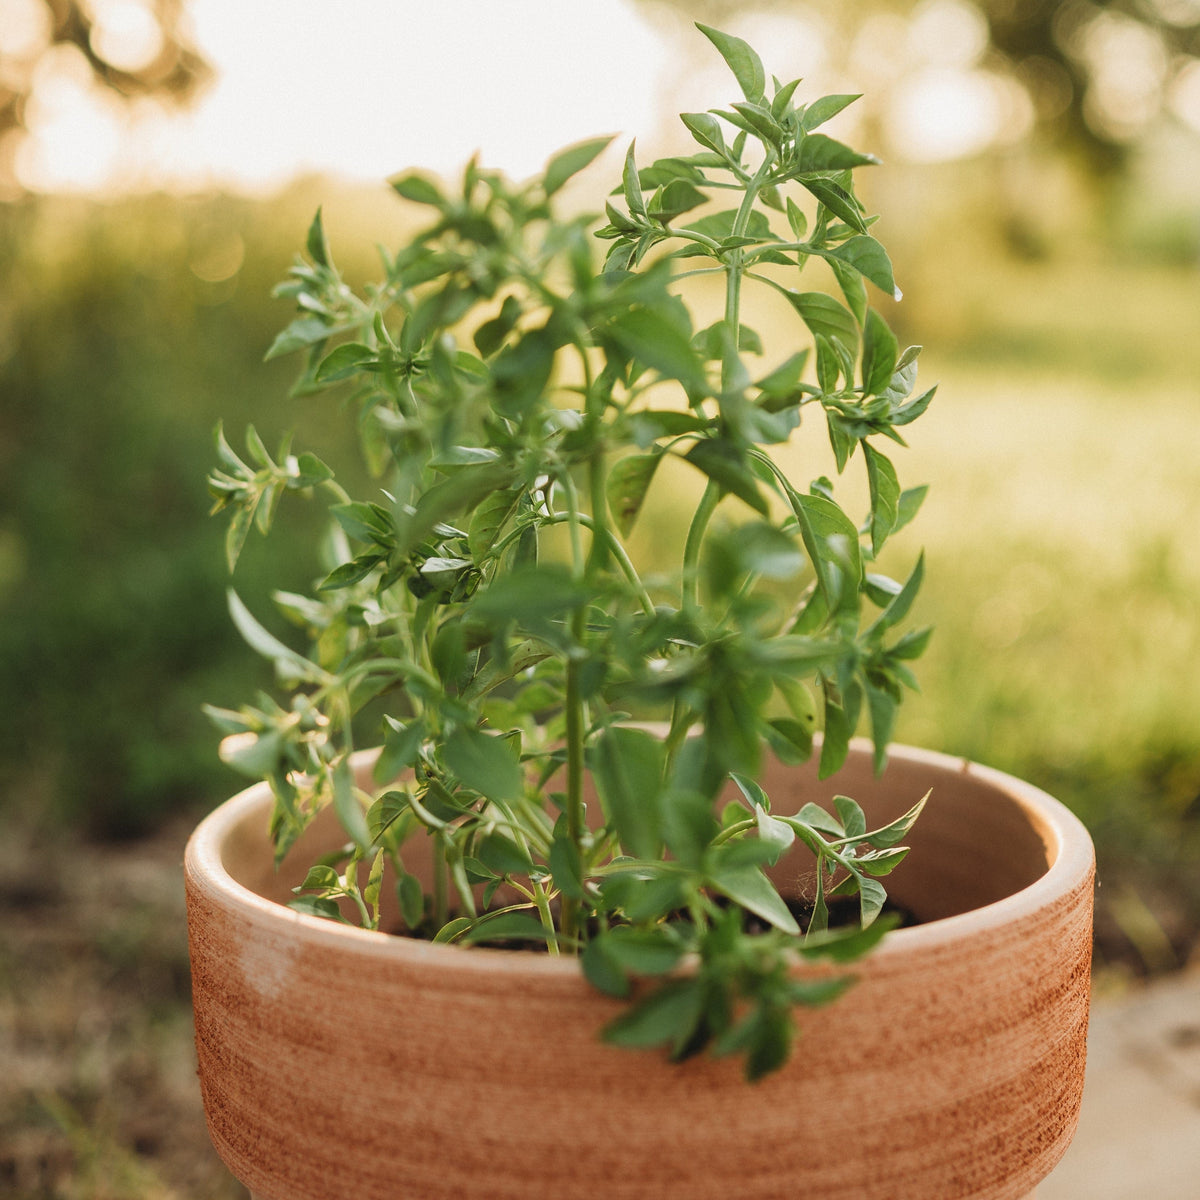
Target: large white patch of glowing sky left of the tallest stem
x,y
364,88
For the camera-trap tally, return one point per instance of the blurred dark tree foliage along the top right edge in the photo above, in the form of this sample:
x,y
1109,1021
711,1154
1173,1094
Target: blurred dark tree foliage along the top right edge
x,y
1097,73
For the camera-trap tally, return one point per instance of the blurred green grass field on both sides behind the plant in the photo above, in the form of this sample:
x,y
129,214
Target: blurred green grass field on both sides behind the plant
x,y
1060,527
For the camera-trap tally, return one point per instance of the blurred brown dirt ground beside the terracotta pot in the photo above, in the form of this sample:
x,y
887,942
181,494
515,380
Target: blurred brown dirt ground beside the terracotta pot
x,y
99,1099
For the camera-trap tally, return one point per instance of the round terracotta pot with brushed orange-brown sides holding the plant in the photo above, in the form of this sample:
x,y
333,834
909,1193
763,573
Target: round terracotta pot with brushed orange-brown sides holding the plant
x,y
339,1061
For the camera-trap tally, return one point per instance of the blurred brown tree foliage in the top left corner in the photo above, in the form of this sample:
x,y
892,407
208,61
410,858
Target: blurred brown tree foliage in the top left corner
x,y
134,47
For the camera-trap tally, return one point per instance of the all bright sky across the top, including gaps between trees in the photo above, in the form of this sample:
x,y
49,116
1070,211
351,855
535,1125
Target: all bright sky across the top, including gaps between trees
x,y
368,88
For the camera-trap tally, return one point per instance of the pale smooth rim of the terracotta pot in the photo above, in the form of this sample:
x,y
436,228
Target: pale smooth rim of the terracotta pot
x,y
1067,842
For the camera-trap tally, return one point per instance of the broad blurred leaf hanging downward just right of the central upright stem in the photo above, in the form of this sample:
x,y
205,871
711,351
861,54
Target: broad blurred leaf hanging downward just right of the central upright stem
x,y
628,769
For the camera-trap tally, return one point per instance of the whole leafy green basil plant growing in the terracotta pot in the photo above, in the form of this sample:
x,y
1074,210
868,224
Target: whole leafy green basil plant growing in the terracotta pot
x,y
521,380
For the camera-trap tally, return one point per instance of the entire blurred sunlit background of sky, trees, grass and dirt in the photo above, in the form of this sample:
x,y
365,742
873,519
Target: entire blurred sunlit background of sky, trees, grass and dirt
x,y
160,161
